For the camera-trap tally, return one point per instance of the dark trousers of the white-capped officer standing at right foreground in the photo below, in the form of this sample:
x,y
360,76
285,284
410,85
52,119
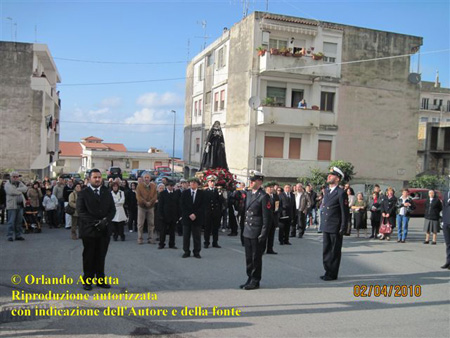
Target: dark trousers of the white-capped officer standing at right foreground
x,y
332,246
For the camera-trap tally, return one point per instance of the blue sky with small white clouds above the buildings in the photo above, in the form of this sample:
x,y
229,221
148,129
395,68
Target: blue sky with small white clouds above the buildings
x,y
123,63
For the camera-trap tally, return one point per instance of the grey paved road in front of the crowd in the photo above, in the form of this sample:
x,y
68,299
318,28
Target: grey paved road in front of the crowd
x,y
292,301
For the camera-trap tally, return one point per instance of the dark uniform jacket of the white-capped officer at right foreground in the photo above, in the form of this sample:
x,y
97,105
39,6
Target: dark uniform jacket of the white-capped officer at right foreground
x,y
335,211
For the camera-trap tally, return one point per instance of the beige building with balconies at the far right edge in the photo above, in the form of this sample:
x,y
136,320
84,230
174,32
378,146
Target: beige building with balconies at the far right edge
x,y
434,129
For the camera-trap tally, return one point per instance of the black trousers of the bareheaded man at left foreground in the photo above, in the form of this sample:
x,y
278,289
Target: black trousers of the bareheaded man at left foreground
x,y
94,255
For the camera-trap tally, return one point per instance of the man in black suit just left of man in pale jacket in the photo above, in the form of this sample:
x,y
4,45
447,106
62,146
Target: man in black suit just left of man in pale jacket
x,y
287,215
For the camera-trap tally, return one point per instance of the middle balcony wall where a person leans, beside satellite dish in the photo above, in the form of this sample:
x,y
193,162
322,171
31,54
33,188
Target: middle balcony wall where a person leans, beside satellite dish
x,y
294,117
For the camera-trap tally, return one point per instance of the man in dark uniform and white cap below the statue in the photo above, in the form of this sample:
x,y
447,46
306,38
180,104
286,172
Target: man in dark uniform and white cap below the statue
x,y
214,202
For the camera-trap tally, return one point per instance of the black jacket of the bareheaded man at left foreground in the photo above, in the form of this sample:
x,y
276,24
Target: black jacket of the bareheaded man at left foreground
x,y
92,208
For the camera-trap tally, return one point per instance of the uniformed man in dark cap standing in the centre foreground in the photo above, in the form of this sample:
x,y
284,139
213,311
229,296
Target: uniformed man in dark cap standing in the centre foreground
x,y
257,222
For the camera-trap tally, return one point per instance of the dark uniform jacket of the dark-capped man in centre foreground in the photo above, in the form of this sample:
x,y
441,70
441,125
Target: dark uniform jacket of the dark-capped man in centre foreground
x,y
257,214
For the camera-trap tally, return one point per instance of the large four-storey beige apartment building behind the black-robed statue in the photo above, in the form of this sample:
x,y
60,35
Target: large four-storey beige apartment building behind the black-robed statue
x,y
360,105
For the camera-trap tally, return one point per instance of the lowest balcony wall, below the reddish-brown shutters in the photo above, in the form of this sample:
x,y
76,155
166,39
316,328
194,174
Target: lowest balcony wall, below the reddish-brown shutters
x,y
279,167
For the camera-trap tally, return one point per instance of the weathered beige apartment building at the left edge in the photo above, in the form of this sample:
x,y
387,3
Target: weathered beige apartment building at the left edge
x,y
29,108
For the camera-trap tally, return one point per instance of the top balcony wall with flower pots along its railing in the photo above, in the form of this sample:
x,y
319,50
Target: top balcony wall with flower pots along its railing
x,y
304,65
